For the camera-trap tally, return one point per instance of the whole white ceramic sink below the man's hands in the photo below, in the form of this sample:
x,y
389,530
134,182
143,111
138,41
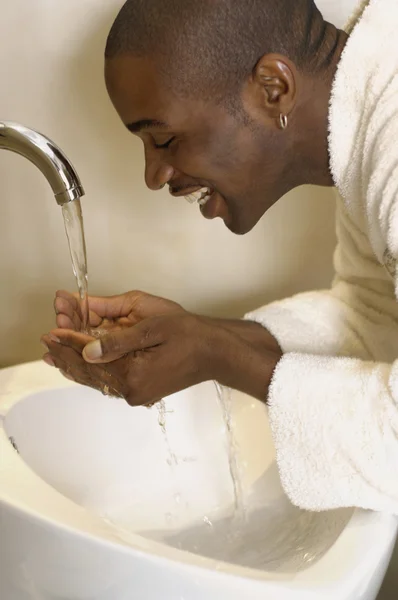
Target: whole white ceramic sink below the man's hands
x,y
100,502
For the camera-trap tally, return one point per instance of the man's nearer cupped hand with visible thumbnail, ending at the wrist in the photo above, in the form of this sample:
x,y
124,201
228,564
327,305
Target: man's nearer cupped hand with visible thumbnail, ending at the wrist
x,y
145,362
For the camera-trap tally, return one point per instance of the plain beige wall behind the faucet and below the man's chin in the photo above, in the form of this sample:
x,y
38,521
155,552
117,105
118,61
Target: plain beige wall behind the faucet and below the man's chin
x,y
51,74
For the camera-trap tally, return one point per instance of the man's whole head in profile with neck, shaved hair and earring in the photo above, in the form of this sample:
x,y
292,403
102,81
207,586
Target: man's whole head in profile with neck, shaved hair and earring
x,y
209,86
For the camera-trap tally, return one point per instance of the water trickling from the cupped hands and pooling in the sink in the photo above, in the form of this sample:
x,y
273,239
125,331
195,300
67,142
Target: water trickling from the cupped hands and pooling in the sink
x,y
253,533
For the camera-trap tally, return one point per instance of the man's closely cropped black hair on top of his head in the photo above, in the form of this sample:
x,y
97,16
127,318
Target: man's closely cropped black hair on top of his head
x,y
211,46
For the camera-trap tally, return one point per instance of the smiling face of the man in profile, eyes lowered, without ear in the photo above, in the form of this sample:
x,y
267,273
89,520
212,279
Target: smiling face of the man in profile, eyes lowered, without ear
x,y
194,145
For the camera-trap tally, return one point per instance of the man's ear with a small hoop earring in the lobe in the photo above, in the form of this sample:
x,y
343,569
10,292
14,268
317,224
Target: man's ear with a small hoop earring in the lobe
x,y
272,90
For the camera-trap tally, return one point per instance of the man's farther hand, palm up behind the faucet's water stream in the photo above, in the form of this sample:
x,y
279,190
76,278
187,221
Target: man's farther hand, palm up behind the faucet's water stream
x,y
110,314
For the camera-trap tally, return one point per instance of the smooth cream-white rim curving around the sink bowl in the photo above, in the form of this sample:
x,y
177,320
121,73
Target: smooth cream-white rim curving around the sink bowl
x,y
50,507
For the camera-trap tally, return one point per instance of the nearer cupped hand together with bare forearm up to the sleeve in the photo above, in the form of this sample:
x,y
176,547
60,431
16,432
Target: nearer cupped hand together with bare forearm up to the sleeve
x,y
161,355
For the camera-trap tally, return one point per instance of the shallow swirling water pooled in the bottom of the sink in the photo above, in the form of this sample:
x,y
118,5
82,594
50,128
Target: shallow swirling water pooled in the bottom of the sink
x,y
277,538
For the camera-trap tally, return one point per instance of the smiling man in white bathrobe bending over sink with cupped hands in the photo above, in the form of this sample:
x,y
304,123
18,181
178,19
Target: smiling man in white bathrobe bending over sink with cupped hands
x,y
237,103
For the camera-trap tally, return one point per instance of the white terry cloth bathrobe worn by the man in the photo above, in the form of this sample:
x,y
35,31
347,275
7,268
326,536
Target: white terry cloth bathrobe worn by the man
x,y
333,402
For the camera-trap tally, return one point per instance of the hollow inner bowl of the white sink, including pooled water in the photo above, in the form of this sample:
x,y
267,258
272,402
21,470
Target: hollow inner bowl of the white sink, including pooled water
x,y
118,464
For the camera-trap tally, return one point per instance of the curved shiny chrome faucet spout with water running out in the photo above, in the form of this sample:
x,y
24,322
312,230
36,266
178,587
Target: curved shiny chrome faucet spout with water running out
x,y
47,157
